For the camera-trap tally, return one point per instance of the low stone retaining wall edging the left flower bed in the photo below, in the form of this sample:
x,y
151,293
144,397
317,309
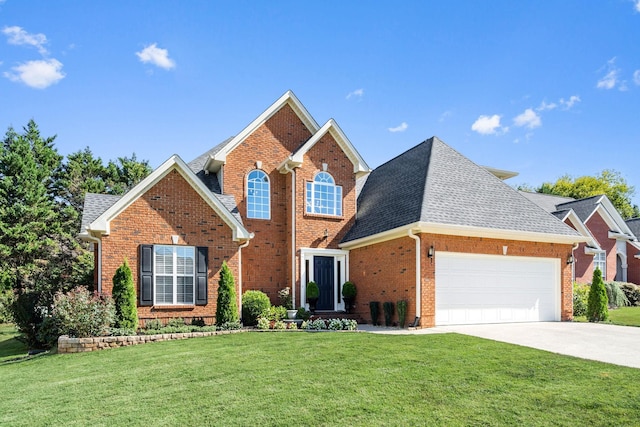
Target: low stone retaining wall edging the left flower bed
x,y
80,345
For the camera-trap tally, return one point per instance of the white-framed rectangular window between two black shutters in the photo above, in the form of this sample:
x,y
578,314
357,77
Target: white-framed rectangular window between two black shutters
x,y
174,274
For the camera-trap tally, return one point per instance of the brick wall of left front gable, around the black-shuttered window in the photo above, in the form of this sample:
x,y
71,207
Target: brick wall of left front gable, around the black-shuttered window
x,y
171,207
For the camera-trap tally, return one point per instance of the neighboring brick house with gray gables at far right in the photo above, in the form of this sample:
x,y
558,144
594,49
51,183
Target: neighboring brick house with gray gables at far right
x,y
612,244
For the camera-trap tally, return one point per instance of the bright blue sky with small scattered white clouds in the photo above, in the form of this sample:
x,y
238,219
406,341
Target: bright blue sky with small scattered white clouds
x,y
544,88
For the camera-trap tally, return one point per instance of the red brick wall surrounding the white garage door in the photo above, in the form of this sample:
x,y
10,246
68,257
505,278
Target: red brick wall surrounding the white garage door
x,y
386,271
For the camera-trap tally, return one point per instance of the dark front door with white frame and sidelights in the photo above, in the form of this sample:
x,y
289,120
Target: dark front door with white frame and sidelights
x,y
328,268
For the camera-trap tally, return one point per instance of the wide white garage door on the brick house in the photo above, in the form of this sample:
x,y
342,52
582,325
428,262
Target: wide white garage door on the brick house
x,y
496,289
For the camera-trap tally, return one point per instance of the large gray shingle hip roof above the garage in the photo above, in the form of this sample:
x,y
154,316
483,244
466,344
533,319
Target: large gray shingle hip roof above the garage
x,y
433,183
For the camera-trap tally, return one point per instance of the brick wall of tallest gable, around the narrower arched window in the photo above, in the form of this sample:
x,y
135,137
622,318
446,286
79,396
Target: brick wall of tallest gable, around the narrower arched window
x,y
266,261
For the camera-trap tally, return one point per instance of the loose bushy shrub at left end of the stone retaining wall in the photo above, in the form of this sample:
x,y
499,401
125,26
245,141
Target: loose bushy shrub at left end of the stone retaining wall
x,y
80,314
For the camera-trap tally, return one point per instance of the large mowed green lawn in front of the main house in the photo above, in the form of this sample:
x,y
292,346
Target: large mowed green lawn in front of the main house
x,y
263,379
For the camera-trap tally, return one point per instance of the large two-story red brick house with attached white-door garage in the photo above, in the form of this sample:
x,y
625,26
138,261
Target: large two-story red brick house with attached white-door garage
x,y
287,201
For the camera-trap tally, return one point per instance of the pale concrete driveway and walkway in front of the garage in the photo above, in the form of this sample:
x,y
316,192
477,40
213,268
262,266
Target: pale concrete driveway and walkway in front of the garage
x,y
619,345
